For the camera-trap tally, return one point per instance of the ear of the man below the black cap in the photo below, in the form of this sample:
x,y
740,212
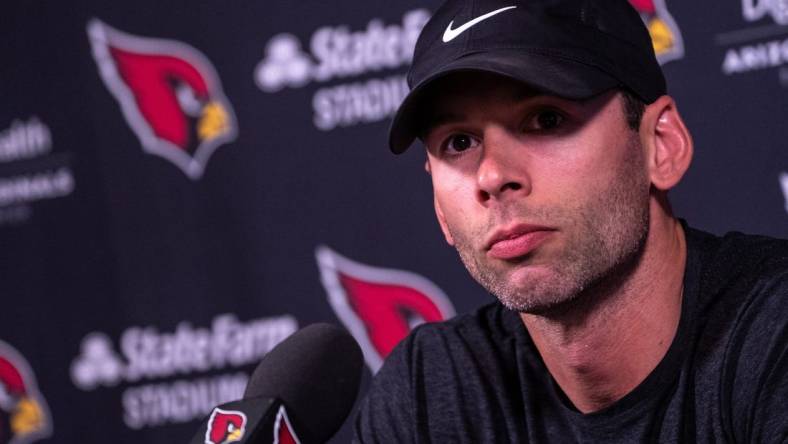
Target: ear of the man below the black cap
x,y
669,143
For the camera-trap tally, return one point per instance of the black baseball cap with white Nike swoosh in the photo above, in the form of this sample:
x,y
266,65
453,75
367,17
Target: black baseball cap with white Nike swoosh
x,y
573,49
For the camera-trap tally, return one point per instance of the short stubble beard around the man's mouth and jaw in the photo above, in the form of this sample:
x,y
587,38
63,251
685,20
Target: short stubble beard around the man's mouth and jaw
x,y
605,238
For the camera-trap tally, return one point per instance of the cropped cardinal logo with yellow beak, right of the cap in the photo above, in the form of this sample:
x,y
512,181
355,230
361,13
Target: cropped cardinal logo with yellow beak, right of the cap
x,y
665,35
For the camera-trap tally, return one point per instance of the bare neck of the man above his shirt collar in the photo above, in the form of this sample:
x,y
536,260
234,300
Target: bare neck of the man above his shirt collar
x,y
607,346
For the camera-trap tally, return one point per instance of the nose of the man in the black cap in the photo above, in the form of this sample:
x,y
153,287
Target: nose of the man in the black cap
x,y
502,174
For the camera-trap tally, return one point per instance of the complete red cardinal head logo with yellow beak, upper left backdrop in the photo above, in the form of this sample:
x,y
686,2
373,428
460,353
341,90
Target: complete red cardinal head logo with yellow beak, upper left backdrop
x,y
169,94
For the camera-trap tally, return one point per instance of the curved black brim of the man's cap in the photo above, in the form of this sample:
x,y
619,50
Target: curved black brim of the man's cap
x,y
550,74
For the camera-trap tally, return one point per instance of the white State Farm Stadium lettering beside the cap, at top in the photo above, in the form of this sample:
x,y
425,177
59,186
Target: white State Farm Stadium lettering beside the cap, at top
x,y
336,52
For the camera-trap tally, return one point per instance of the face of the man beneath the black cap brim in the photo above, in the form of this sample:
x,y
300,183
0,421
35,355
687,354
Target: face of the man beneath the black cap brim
x,y
542,197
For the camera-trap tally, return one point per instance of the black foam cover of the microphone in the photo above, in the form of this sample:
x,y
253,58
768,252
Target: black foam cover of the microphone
x,y
316,373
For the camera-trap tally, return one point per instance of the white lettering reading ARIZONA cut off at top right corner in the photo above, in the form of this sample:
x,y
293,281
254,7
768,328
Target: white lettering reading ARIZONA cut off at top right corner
x,y
758,46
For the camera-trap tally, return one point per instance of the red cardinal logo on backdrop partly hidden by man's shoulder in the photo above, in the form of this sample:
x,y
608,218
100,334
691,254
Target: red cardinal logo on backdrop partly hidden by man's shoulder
x,y
379,306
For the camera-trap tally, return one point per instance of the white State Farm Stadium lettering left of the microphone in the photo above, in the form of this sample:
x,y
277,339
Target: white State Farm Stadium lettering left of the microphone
x,y
191,354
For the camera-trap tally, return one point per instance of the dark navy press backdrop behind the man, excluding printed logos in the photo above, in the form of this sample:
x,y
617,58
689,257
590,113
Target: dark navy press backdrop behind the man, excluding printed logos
x,y
139,243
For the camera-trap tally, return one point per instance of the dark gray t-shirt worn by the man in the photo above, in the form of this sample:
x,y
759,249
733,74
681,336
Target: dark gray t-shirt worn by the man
x,y
479,379
